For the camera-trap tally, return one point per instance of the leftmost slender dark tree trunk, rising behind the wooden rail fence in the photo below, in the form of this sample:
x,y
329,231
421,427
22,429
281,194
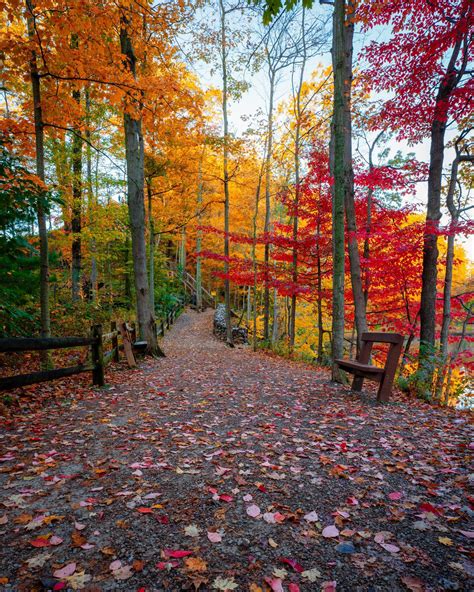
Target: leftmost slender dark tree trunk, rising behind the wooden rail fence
x,y
39,143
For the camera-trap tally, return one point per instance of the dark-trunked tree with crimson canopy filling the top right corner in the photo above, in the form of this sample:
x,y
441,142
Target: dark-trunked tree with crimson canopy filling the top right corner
x,y
434,39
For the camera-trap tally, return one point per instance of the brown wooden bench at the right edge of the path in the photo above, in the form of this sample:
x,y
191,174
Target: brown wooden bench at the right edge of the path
x,y
361,368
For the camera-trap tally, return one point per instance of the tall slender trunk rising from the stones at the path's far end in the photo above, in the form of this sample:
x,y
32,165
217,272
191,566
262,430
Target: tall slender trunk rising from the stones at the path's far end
x,y
228,322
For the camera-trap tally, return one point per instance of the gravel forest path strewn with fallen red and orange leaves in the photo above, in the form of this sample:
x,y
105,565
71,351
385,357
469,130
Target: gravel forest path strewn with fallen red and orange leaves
x,y
221,469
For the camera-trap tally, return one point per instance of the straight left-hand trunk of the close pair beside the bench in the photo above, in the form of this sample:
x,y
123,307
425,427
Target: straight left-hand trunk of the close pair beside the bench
x,y
337,154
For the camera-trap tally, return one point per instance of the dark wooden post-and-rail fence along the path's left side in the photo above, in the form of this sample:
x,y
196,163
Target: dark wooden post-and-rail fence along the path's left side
x,y
97,359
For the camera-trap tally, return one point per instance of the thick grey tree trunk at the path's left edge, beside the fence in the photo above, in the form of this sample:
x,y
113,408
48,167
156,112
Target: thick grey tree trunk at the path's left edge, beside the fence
x,y
134,154
